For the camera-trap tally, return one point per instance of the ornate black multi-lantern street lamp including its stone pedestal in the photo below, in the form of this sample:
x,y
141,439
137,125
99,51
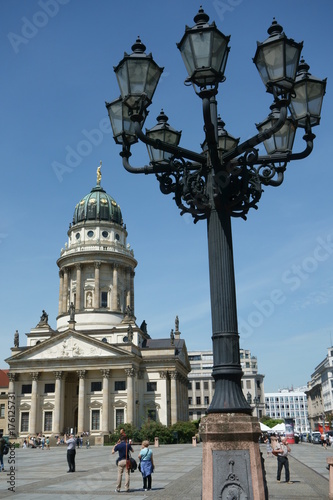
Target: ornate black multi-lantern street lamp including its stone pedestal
x,y
224,180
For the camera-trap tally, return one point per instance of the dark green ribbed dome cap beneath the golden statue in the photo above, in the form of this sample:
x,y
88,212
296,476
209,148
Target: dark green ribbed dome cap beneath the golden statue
x,y
97,205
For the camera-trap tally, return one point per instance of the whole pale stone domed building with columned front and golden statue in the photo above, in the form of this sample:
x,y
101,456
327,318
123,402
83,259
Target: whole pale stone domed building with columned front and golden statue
x,y
98,369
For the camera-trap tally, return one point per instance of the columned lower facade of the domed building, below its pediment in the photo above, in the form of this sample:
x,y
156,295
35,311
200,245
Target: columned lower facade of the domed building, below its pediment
x,y
94,400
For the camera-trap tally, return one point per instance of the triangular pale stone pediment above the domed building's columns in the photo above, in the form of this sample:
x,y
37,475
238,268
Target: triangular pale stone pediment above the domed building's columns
x,y
67,345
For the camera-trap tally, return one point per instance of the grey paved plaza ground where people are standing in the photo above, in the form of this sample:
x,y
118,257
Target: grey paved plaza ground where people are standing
x,y
42,474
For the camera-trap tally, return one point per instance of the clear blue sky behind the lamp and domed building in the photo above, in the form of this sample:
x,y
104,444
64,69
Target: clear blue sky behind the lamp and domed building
x,y
57,71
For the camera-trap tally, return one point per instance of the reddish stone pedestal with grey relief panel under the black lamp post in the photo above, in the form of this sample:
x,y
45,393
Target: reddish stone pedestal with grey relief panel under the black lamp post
x,y
232,466
